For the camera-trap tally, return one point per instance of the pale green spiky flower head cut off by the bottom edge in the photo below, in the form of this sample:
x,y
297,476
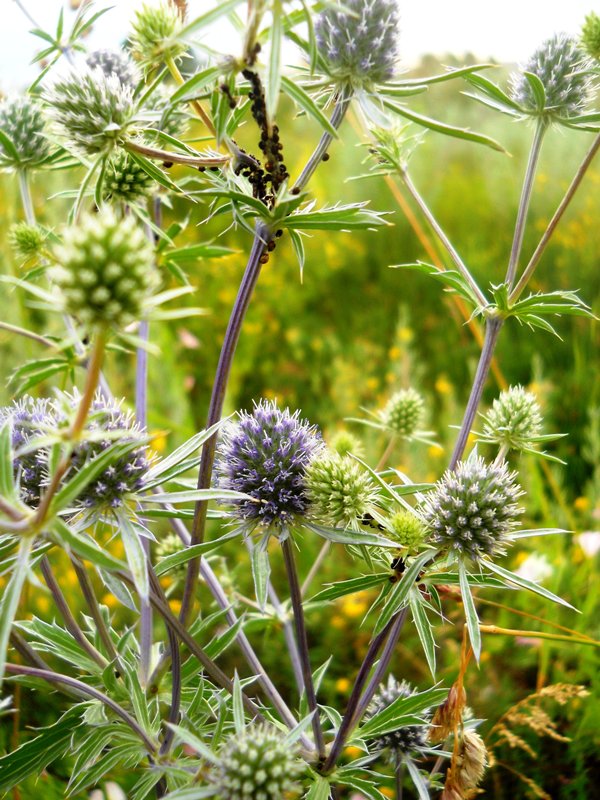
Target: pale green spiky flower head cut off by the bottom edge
x,y
256,765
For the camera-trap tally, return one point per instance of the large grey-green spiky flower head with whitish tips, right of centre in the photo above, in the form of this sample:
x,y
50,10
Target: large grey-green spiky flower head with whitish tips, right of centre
x,y
473,509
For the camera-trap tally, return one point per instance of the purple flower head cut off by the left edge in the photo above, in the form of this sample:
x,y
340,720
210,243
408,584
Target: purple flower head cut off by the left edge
x,y
29,418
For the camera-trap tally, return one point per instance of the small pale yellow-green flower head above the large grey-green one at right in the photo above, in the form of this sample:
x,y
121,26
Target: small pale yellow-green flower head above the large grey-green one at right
x,y
514,421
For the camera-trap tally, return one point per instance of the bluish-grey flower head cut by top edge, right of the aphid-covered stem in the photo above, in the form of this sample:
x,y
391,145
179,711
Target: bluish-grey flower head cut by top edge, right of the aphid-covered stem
x,y
362,49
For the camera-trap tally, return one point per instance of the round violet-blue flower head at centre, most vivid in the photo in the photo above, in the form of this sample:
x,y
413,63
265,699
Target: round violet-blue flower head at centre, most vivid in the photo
x,y
264,454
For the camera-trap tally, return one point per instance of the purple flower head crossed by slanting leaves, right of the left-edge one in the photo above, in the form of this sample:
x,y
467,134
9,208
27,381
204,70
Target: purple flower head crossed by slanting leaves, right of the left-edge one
x,y
125,475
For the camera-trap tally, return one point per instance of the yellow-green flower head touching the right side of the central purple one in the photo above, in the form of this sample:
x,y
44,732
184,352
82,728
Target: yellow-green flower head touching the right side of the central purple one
x,y
340,491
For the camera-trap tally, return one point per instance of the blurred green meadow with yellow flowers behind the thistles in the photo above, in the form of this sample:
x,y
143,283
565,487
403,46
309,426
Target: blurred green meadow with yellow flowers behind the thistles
x,y
352,332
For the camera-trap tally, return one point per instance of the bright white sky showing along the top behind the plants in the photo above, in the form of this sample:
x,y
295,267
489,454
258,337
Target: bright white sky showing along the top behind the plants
x,y
507,31
